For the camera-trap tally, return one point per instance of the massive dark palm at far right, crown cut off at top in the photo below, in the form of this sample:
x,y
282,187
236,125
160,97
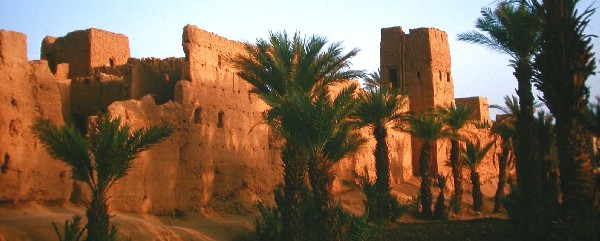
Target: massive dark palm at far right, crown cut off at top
x,y
564,63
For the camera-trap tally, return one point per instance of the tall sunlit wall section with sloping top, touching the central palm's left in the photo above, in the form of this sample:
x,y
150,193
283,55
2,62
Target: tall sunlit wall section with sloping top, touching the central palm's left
x,y
227,144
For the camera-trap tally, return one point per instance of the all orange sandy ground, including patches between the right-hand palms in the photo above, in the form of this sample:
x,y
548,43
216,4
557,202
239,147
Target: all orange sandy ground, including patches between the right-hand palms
x,y
33,221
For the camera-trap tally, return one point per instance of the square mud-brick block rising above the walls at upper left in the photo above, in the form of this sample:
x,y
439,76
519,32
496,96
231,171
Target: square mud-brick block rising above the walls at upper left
x,y
84,50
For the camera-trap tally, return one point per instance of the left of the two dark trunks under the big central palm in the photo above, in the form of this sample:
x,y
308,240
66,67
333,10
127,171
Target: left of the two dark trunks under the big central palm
x,y
294,177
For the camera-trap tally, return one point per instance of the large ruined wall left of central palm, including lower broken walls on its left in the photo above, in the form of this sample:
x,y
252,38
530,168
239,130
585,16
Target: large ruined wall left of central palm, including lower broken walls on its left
x,y
219,156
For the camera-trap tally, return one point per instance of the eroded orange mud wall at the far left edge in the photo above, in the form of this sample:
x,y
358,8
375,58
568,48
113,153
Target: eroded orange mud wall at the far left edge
x,y
28,91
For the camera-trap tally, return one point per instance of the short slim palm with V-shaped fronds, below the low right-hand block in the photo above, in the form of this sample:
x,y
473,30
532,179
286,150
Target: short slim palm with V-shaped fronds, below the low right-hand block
x,y
472,155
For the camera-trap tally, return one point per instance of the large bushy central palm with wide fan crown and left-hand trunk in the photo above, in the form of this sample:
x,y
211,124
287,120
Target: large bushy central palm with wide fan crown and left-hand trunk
x,y
280,71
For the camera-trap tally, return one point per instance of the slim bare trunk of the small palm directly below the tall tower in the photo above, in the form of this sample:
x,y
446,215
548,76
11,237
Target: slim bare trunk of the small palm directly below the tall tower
x,y
426,196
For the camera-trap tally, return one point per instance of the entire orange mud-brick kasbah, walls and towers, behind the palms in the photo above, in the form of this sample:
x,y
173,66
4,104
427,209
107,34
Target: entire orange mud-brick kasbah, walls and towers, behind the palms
x,y
220,156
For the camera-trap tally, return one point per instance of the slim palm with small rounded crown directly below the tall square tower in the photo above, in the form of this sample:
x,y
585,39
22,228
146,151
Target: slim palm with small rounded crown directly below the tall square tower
x,y
429,127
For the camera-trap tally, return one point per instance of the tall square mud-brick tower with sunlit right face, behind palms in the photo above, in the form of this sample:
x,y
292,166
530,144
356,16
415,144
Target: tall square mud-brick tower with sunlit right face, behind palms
x,y
418,65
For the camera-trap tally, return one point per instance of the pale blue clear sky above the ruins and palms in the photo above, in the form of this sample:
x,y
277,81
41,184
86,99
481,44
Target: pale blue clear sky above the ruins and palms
x,y
154,28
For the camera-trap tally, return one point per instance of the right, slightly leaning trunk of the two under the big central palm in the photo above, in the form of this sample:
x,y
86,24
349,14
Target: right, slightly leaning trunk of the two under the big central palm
x,y
321,179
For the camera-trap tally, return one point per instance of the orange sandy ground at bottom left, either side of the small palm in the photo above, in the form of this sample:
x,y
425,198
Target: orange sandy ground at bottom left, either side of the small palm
x,y
33,222
